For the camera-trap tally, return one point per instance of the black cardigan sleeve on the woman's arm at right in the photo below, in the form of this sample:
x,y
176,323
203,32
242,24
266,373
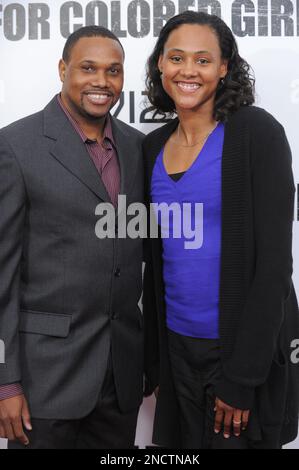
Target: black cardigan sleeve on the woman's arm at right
x,y
261,319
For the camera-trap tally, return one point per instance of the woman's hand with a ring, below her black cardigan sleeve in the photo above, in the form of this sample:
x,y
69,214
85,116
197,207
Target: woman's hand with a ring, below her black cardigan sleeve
x,y
228,416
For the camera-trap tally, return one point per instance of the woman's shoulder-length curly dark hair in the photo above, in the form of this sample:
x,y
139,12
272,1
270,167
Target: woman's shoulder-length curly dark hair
x,y
235,91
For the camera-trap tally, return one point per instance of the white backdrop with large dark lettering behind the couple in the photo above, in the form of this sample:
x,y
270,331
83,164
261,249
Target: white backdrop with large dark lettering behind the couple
x,y
32,36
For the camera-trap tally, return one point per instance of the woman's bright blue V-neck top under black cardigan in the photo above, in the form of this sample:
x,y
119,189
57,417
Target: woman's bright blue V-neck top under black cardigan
x,y
192,273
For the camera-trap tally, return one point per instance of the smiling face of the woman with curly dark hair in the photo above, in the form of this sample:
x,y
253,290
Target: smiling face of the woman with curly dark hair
x,y
192,67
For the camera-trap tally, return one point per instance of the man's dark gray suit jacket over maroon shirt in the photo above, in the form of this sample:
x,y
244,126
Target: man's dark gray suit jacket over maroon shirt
x,y
65,295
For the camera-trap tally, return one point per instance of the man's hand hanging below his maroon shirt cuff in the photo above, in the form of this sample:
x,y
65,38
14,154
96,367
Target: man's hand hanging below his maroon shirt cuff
x,y
14,413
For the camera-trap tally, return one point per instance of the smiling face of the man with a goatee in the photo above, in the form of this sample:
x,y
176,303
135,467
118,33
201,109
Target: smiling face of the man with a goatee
x,y
93,77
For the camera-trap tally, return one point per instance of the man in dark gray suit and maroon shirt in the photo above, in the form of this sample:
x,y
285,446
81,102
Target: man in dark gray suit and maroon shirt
x,y
69,316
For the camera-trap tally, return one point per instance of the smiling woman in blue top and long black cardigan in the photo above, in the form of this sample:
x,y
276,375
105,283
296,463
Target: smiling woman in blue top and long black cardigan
x,y
219,318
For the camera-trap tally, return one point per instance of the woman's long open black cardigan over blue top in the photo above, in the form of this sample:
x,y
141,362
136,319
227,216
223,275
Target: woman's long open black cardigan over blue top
x,y
258,307
